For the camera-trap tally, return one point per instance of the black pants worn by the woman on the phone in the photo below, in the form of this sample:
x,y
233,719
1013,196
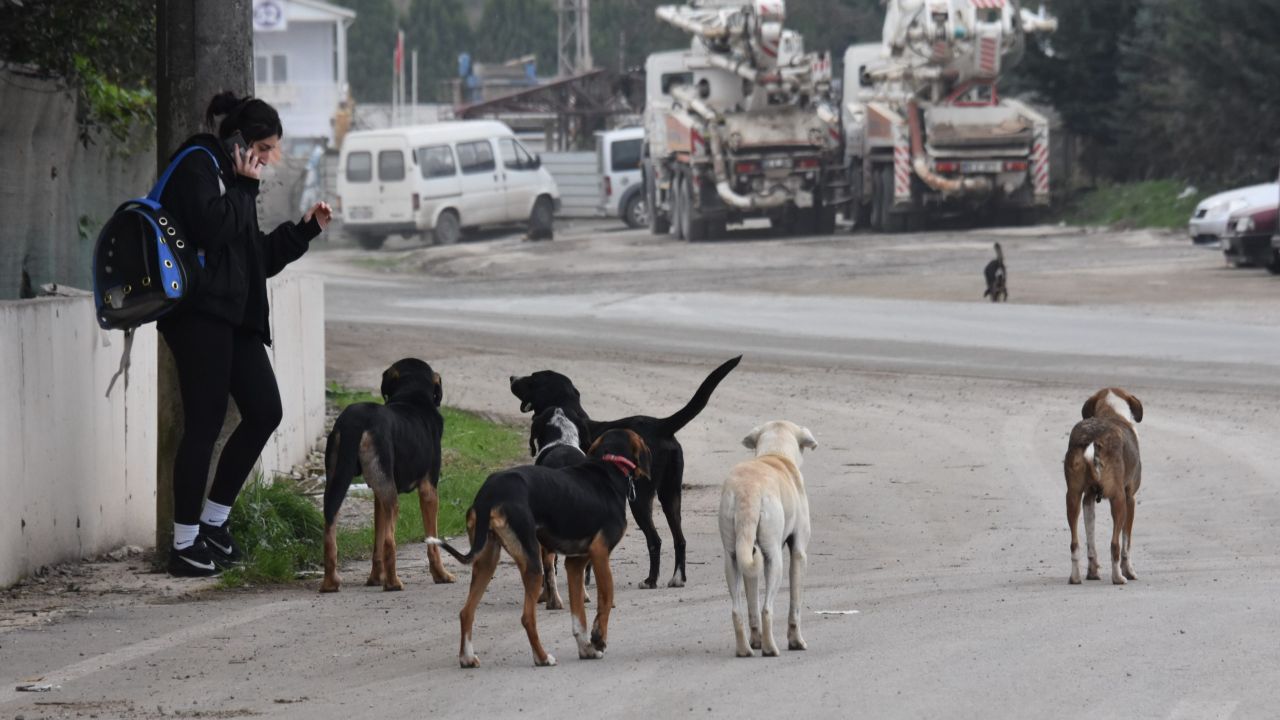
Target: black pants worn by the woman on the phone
x,y
217,362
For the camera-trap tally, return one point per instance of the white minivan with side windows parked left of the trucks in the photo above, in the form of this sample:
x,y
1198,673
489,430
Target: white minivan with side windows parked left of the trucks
x,y
440,179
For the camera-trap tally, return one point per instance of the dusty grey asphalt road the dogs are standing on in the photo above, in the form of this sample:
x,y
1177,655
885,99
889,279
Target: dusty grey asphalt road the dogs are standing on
x,y
938,581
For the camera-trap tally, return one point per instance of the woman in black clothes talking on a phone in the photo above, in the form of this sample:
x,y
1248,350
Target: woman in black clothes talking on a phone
x,y
220,340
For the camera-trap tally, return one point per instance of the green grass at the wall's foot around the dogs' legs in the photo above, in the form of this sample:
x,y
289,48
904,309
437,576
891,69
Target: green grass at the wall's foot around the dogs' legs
x,y
281,530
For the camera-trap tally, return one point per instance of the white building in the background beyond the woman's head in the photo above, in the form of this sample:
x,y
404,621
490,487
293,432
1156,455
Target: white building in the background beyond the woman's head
x,y
300,63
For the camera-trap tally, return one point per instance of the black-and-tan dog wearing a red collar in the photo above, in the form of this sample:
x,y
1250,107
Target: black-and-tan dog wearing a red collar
x,y
578,512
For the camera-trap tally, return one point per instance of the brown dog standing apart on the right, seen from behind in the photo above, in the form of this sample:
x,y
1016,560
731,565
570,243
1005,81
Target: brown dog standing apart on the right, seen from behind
x,y
1103,462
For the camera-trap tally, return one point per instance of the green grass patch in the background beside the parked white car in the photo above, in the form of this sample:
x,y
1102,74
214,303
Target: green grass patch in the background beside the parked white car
x,y
1150,204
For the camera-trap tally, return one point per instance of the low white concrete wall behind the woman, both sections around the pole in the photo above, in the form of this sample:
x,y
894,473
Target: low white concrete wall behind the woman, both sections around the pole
x,y
79,470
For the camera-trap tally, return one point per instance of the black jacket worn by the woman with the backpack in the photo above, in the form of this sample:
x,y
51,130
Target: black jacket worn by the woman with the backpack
x,y
218,209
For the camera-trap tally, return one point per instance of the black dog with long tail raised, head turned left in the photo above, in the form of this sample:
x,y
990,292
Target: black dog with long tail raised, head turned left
x,y
547,389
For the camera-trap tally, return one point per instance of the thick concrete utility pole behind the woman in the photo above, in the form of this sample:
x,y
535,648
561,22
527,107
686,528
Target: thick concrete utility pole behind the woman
x,y
202,49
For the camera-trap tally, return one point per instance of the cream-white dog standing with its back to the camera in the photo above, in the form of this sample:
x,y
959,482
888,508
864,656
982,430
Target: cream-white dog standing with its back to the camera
x,y
764,505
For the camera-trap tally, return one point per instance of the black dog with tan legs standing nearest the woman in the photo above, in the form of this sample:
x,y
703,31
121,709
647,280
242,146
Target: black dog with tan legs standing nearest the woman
x,y
397,449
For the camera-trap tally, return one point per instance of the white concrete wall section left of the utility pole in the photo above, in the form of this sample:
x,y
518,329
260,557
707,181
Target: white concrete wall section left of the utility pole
x,y
77,470
